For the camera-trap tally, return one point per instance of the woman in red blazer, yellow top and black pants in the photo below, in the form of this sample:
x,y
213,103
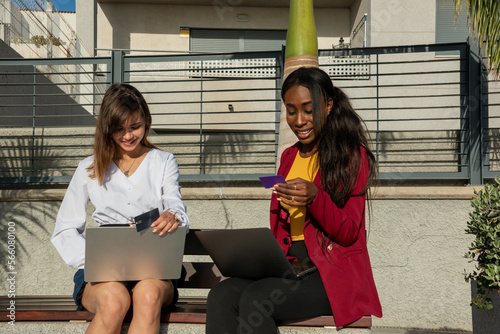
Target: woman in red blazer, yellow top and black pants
x,y
318,217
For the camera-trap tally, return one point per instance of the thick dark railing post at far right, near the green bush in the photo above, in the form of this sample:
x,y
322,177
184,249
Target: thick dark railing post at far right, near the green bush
x,y
474,113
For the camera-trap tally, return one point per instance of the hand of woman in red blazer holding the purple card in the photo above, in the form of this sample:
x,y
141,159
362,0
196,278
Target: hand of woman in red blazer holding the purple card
x,y
296,192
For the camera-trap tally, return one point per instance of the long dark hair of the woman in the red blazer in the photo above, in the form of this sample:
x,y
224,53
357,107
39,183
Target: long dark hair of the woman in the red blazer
x,y
340,134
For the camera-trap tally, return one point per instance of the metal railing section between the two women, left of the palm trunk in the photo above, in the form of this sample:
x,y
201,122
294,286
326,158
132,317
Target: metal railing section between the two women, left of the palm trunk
x,y
226,104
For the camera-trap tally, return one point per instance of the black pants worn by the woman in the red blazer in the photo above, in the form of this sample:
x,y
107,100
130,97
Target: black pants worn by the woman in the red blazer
x,y
245,306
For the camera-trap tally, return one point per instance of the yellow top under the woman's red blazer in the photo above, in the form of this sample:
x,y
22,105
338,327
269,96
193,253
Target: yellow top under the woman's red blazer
x,y
306,169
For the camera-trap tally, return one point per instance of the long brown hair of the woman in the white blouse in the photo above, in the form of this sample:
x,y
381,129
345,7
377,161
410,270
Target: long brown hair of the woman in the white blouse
x,y
119,102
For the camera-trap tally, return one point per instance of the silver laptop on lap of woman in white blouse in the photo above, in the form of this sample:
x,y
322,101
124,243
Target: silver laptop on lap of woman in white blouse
x,y
120,253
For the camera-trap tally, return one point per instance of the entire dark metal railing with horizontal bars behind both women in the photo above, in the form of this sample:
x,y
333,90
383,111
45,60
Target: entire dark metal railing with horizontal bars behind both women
x,y
430,117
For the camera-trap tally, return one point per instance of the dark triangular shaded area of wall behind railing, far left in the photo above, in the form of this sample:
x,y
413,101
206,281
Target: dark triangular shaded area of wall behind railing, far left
x,y
24,86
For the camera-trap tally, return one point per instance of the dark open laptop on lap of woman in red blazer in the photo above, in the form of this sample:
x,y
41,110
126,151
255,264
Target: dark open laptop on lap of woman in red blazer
x,y
250,253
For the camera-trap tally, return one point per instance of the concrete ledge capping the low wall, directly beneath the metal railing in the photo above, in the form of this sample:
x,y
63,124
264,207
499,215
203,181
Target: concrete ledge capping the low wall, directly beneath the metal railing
x,y
213,193
